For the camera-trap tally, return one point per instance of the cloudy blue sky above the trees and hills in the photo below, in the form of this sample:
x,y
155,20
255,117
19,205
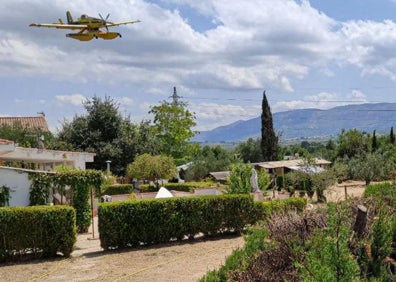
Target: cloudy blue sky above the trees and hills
x,y
221,55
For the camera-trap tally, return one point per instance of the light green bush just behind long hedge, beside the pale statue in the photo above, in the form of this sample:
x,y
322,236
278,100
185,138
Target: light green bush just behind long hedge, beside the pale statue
x,y
239,179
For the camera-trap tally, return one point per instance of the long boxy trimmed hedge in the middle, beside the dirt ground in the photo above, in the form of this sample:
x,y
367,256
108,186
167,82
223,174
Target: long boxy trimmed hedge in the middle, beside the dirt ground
x,y
137,222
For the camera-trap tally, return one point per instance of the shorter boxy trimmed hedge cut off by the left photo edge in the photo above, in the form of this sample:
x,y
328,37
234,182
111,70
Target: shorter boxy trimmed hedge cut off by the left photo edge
x,y
36,232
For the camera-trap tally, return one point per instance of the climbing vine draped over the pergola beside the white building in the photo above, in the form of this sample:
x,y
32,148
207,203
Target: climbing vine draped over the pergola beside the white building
x,y
80,182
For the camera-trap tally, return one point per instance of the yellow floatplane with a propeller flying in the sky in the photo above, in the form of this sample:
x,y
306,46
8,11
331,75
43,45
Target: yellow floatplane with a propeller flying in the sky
x,y
89,27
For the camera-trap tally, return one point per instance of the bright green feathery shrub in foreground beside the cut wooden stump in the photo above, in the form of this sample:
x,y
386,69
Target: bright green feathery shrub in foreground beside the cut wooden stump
x,y
328,257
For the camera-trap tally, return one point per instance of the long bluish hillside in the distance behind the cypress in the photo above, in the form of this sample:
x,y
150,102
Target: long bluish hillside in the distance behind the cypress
x,y
309,123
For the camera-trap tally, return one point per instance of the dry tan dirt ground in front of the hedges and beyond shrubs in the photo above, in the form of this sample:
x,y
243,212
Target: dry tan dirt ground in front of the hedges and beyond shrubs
x,y
170,262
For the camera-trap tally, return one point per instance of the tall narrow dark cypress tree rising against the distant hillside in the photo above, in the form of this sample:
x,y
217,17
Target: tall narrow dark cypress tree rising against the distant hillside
x,y
269,141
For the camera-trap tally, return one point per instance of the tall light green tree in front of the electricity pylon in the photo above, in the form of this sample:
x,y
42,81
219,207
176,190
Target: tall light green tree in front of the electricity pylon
x,y
173,124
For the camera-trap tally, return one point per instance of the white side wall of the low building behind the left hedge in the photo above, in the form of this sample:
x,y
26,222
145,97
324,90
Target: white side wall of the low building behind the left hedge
x,y
17,180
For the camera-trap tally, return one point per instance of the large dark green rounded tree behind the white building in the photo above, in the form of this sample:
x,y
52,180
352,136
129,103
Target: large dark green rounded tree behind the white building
x,y
105,132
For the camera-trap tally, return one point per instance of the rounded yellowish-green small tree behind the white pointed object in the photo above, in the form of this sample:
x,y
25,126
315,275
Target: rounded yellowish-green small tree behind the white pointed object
x,y
148,167
